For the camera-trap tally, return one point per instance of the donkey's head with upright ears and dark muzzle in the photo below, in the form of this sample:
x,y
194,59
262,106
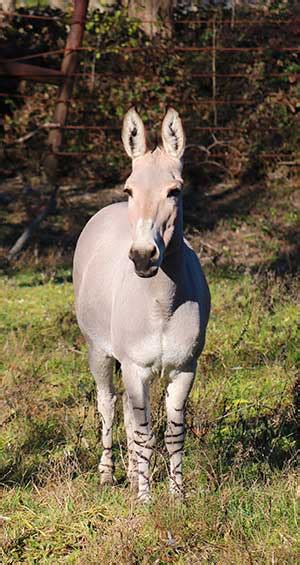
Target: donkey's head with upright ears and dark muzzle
x,y
154,189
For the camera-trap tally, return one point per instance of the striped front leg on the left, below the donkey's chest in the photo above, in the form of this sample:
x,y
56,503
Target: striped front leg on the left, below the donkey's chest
x,y
136,381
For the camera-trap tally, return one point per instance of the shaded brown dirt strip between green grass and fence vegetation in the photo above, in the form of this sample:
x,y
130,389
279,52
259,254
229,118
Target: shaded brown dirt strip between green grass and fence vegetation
x,y
232,224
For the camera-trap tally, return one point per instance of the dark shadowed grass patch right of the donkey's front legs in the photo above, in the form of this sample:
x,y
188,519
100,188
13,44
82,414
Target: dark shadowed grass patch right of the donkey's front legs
x,y
240,444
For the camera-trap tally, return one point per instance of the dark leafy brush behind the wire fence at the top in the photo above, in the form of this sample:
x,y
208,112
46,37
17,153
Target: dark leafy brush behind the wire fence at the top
x,y
256,92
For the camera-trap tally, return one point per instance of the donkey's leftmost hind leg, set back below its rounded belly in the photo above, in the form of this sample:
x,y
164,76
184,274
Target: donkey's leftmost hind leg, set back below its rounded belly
x,y
102,368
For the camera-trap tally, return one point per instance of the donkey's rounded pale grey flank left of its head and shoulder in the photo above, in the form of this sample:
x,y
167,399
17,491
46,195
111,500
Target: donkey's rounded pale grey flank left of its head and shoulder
x,y
99,259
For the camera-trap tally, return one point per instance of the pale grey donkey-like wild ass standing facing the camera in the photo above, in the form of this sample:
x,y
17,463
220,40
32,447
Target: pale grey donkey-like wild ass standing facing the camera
x,y
142,299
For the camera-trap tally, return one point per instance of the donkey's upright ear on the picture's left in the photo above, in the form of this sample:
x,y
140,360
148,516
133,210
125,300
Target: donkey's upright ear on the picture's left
x,y
133,134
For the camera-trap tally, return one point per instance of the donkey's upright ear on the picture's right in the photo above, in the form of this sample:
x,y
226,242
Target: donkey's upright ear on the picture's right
x,y
172,134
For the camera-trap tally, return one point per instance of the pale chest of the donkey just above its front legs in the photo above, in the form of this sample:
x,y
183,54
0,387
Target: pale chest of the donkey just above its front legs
x,y
159,335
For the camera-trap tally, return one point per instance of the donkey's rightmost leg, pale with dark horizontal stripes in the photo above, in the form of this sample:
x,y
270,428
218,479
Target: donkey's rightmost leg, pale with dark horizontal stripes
x,y
177,394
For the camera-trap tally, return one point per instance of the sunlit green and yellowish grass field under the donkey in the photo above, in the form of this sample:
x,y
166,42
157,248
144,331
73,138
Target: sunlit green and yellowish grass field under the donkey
x,y
240,462
